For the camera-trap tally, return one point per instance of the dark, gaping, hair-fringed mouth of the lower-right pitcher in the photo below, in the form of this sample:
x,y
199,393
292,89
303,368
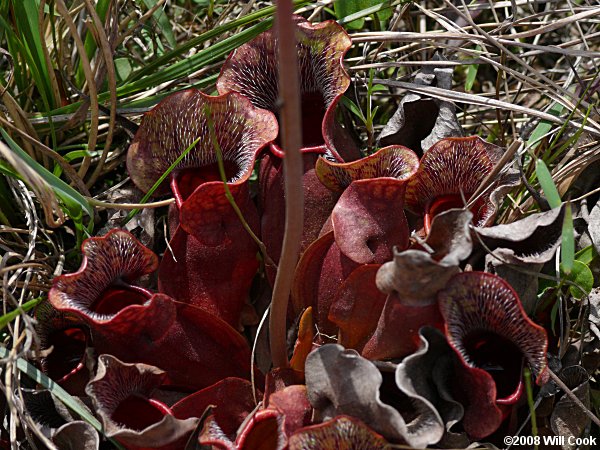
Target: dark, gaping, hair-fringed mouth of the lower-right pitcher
x,y
489,330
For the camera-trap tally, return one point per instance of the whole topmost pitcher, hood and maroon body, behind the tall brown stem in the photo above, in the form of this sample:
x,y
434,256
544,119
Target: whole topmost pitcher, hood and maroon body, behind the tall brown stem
x,y
252,70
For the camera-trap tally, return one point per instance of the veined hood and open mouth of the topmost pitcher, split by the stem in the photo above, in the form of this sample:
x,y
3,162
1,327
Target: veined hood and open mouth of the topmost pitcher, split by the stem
x,y
252,70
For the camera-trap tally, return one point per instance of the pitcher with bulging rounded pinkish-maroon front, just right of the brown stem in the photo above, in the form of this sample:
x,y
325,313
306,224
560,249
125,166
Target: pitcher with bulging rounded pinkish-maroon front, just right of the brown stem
x,y
367,222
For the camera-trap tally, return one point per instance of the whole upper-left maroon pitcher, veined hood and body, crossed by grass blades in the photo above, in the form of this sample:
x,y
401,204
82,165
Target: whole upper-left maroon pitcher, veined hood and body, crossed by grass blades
x,y
240,132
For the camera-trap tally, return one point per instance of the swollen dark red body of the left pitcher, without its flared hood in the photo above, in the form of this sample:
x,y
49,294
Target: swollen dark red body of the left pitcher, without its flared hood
x,y
185,341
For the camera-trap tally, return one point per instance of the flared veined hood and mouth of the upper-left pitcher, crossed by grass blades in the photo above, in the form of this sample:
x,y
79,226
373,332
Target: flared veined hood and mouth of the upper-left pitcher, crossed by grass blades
x,y
240,131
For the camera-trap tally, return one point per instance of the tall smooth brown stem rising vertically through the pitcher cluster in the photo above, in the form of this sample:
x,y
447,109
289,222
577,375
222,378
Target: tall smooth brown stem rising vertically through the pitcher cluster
x,y
289,96
